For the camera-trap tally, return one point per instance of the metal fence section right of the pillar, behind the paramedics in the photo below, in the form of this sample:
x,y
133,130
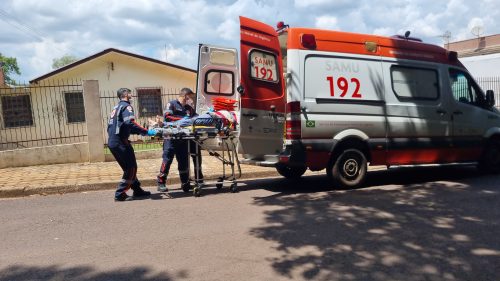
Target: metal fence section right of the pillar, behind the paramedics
x,y
147,103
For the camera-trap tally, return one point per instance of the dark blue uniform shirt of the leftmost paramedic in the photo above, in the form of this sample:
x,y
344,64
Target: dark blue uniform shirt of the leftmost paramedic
x,y
122,122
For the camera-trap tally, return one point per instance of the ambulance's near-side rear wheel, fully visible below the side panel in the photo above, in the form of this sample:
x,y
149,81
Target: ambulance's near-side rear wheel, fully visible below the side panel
x,y
349,169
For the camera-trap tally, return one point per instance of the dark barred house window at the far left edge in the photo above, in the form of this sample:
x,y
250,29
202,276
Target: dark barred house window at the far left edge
x,y
17,111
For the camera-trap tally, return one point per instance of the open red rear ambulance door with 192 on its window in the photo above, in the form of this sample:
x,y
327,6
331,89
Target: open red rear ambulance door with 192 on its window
x,y
263,100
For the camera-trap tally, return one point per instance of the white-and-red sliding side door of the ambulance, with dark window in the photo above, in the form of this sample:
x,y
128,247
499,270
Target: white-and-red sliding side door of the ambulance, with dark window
x,y
419,119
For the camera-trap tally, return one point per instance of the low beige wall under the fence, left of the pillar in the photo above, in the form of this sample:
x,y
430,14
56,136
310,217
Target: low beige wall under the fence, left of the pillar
x,y
56,154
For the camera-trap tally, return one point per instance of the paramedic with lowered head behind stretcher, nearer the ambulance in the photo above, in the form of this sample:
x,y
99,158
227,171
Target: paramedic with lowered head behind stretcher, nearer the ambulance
x,y
176,110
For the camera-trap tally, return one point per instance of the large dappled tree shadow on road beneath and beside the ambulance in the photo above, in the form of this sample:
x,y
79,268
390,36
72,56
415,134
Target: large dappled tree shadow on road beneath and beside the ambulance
x,y
439,223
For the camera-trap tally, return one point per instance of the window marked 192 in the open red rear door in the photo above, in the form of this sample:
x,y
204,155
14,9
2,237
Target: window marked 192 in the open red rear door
x,y
263,66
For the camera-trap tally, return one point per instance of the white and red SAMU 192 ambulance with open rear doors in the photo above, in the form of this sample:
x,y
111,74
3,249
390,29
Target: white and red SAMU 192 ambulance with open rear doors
x,y
321,99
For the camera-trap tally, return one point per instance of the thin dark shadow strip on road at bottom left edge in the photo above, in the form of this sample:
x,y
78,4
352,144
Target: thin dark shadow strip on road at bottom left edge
x,y
81,273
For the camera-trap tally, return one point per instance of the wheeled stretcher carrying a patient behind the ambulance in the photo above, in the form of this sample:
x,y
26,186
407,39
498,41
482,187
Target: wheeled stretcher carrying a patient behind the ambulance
x,y
205,132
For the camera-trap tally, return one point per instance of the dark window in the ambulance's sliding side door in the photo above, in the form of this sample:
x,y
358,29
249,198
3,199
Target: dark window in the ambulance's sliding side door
x,y
415,83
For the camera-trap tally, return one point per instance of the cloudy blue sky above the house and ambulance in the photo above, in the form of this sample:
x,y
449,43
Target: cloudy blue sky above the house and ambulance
x,y
37,31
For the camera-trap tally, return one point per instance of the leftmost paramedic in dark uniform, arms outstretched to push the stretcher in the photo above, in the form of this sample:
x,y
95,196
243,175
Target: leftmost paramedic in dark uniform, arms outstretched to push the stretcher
x,y
120,125
